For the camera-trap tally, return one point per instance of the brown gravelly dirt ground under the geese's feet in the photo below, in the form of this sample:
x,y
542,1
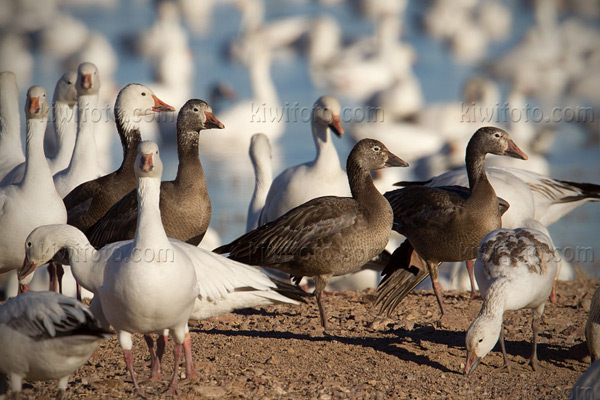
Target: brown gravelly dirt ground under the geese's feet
x,y
280,352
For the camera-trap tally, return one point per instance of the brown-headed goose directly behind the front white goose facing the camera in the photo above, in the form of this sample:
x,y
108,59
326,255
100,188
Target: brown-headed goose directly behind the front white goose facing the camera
x,y
184,203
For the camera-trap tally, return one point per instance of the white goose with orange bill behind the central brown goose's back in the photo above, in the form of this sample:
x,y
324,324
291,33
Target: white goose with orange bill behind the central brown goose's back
x,y
321,177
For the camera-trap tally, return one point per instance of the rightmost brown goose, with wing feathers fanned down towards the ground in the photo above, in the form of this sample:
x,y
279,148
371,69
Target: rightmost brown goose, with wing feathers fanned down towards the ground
x,y
445,223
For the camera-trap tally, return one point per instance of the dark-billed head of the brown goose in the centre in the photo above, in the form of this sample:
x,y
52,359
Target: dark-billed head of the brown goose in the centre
x,y
371,154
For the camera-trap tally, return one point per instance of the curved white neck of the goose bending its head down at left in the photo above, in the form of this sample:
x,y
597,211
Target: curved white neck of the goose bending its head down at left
x,y
86,263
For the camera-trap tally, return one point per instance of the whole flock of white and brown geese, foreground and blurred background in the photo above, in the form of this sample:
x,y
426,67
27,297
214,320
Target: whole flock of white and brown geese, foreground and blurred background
x,y
139,244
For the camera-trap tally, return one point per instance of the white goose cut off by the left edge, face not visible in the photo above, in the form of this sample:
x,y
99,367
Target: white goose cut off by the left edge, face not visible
x,y
11,148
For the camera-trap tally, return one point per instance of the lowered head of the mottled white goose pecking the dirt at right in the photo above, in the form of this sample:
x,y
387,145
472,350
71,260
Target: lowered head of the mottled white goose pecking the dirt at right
x,y
482,336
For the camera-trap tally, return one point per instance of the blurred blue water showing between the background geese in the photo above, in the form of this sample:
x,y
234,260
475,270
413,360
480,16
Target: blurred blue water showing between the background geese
x,y
441,79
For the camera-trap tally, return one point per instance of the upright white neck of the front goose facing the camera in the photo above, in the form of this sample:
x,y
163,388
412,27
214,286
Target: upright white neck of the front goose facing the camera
x,y
150,233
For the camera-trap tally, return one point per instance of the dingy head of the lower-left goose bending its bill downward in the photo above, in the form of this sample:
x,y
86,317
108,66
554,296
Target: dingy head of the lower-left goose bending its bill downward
x,y
40,247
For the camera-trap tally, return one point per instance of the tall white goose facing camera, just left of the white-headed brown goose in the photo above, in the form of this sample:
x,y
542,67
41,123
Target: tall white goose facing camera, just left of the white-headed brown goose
x,y
84,162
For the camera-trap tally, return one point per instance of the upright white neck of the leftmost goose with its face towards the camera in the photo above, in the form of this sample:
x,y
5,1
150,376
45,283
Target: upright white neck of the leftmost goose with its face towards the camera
x,y
37,172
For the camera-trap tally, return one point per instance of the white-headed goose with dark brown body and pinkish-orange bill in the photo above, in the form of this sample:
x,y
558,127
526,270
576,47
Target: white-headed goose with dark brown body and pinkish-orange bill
x,y
88,202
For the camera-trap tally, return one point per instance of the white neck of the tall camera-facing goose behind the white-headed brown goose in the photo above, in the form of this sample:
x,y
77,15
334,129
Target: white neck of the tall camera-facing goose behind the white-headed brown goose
x,y
85,155
